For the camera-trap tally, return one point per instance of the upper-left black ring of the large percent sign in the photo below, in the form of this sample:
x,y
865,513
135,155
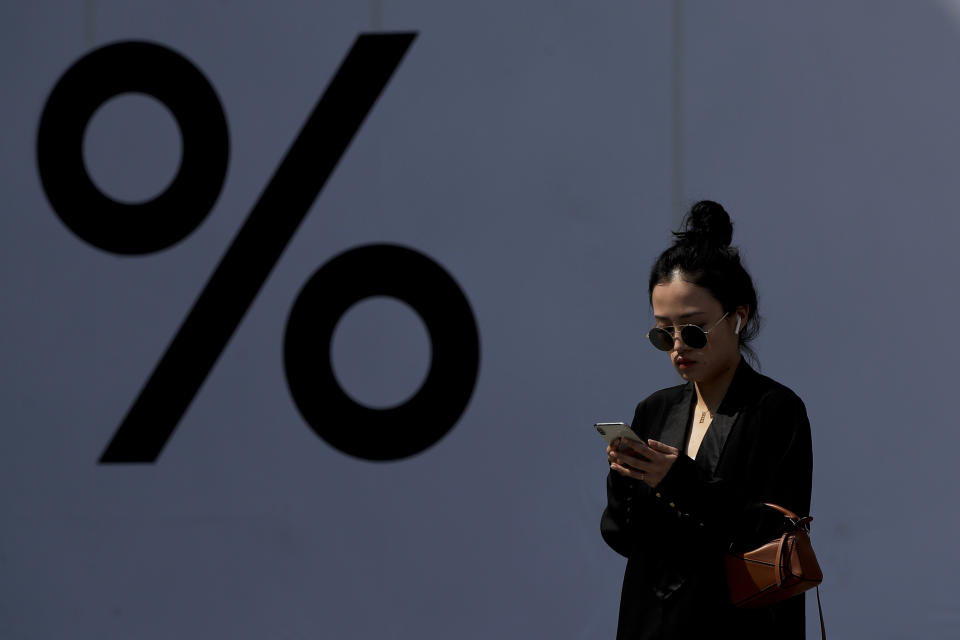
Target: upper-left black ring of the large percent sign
x,y
132,67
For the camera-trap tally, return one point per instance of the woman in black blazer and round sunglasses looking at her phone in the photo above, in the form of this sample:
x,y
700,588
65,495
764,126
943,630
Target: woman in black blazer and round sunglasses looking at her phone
x,y
728,438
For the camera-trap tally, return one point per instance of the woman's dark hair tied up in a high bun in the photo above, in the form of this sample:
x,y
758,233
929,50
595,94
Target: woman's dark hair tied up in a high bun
x,y
701,252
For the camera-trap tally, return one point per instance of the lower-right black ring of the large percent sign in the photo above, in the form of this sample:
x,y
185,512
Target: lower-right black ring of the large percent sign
x,y
421,421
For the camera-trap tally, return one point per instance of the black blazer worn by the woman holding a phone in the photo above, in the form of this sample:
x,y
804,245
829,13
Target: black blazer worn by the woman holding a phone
x,y
757,449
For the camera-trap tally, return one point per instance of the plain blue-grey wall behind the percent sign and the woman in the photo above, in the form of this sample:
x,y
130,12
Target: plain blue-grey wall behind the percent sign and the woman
x,y
532,151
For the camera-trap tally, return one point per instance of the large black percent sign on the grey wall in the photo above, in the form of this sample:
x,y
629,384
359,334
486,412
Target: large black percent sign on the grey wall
x,y
356,274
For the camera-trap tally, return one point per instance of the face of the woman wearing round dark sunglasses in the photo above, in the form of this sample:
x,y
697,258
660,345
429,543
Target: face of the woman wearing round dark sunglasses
x,y
678,302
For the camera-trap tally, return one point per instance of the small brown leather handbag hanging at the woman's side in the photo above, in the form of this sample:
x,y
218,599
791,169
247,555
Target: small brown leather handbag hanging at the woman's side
x,y
776,570
